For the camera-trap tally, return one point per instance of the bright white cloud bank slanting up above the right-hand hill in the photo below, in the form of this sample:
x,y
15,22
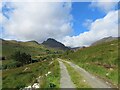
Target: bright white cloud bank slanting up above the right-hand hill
x,y
104,27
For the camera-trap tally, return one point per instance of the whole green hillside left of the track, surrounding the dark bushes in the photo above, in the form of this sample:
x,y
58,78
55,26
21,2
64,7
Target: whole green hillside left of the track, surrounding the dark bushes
x,y
16,76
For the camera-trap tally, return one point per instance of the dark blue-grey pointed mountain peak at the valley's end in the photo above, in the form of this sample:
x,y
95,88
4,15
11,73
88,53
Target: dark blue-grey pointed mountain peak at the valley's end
x,y
52,43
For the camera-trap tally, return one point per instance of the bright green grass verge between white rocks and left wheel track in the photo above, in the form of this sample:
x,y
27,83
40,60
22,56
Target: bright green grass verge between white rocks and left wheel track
x,y
53,79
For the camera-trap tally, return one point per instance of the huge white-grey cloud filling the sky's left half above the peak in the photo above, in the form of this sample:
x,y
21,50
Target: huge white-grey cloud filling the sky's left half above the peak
x,y
38,21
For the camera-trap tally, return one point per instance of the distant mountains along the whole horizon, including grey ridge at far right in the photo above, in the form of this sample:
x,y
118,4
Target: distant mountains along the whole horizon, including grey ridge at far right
x,y
52,43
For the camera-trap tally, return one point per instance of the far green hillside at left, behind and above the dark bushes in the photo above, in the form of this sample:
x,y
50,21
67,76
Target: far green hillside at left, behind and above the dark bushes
x,y
37,52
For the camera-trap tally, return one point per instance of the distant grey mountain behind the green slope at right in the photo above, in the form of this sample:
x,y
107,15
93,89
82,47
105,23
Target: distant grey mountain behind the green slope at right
x,y
106,39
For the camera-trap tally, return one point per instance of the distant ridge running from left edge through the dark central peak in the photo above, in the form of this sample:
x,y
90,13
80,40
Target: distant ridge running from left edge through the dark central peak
x,y
49,43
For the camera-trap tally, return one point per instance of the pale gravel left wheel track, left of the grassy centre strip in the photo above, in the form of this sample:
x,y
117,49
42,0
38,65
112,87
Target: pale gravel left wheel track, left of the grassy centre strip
x,y
65,81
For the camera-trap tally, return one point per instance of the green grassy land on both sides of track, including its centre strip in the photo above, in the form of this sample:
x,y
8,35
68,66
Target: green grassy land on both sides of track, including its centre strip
x,y
100,60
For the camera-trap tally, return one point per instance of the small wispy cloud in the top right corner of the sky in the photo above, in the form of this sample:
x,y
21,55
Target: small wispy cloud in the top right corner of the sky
x,y
103,5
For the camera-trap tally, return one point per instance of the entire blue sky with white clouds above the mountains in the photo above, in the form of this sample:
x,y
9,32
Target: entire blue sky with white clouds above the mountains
x,y
75,24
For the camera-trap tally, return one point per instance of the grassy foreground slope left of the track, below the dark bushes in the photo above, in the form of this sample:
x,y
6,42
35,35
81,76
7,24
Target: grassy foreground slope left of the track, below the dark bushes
x,y
18,78
